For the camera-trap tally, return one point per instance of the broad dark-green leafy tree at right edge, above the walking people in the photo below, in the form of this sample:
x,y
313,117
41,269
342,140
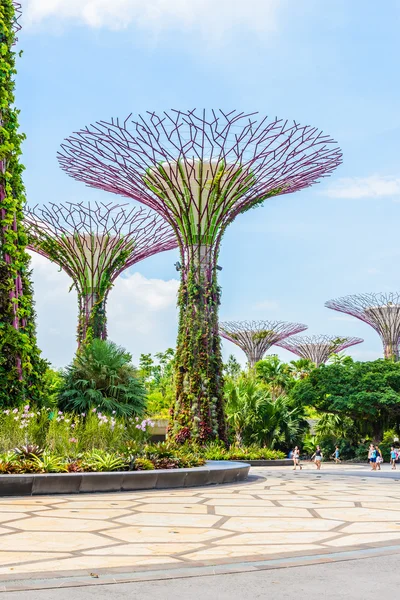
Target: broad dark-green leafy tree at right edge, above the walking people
x,y
367,392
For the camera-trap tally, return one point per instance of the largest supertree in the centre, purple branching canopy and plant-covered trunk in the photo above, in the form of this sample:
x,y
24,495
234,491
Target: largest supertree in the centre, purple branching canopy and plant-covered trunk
x,y
199,170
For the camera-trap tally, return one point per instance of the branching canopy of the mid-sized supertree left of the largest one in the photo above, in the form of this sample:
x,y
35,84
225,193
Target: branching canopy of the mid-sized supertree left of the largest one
x,y
88,237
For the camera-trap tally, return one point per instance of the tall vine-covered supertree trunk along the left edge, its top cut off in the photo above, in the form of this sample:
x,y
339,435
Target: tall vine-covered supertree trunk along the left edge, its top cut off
x,y
21,368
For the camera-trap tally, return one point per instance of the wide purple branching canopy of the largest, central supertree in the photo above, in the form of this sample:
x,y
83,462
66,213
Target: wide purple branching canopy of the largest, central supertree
x,y
261,156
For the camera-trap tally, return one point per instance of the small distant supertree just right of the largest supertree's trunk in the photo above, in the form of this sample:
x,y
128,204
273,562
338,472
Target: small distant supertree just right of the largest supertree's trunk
x,y
256,337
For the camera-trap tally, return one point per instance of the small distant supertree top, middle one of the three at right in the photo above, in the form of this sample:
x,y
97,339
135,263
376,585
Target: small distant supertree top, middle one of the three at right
x,y
318,348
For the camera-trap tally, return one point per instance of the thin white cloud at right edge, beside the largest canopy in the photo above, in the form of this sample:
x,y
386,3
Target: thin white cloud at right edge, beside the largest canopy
x,y
373,186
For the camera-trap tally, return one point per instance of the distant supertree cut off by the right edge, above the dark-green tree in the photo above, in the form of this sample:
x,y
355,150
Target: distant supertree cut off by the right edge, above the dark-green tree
x,y
381,311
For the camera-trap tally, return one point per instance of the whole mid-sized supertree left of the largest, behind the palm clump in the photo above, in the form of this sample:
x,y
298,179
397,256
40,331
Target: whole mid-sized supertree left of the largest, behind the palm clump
x,y
94,244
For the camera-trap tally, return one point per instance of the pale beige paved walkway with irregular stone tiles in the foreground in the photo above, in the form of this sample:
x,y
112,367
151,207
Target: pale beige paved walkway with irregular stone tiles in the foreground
x,y
279,517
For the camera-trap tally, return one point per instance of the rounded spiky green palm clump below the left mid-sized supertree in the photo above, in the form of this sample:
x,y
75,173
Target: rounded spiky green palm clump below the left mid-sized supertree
x,y
102,376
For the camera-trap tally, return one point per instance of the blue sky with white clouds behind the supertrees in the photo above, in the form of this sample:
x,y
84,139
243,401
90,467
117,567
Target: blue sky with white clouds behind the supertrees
x,y
331,64
